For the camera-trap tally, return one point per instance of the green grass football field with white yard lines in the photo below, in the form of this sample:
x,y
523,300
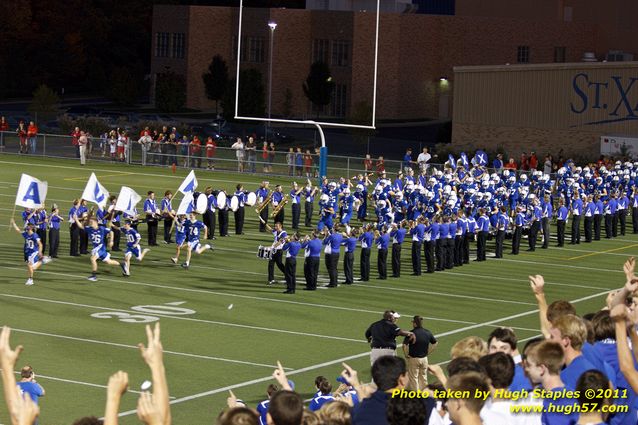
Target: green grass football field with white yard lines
x,y
75,334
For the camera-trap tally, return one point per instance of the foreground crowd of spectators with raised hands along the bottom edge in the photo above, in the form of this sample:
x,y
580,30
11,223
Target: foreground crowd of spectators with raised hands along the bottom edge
x,y
580,370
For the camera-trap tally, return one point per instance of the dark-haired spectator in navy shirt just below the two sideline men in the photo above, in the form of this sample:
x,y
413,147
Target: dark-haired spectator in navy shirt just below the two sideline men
x,y
388,373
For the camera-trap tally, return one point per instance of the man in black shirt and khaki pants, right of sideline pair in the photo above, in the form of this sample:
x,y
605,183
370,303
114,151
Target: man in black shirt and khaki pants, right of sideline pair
x,y
416,354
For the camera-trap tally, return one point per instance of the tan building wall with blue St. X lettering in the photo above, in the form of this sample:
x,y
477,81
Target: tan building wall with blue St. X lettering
x,y
544,107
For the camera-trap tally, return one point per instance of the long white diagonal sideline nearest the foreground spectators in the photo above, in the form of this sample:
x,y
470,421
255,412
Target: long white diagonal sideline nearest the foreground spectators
x,y
353,357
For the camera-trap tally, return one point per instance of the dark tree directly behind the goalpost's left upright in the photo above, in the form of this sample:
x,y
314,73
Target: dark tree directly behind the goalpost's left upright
x,y
252,98
